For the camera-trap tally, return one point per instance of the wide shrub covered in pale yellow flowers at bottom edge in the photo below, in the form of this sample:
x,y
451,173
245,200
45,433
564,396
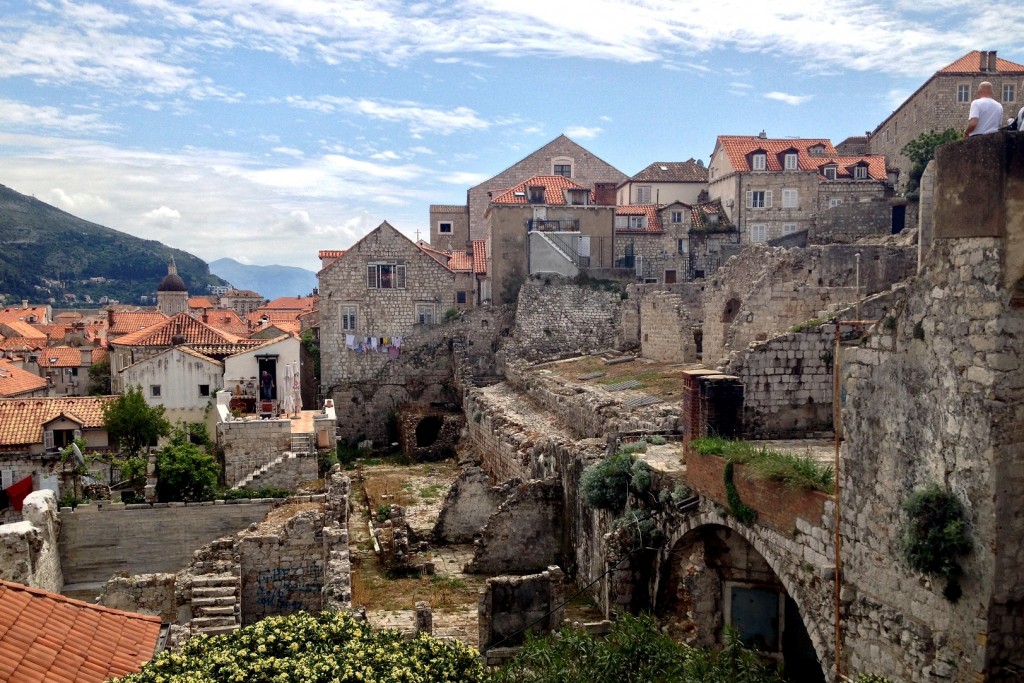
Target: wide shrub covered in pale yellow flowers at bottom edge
x,y
305,649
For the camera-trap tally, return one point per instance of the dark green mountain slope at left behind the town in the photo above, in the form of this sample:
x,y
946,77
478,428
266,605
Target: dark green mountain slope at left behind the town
x,y
48,255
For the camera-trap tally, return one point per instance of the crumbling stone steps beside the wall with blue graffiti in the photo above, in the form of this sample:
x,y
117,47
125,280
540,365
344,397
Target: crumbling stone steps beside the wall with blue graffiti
x,y
217,590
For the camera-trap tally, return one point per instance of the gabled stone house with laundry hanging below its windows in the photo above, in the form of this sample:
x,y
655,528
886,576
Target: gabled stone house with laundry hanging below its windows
x,y
380,290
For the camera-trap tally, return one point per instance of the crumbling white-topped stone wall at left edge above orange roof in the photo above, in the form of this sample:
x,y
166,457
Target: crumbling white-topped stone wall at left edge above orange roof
x,y
29,552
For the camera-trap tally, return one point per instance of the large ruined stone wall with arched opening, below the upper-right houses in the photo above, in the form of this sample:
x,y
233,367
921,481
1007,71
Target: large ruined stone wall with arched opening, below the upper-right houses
x,y
764,291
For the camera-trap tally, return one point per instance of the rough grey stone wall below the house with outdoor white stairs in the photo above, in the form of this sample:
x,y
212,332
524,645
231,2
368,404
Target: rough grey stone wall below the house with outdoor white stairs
x,y
561,320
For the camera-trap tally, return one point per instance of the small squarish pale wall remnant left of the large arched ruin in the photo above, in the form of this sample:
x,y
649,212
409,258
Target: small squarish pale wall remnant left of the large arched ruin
x,y
667,329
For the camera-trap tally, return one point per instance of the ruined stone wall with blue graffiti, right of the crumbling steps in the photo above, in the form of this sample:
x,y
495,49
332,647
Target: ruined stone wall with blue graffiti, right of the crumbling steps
x,y
283,573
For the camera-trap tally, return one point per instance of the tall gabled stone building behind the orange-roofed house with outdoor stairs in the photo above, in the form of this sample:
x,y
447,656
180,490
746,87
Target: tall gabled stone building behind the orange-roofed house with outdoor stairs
x,y
561,157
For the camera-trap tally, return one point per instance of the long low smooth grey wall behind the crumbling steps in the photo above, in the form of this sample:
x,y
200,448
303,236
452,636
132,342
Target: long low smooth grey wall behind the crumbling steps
x,y
98,542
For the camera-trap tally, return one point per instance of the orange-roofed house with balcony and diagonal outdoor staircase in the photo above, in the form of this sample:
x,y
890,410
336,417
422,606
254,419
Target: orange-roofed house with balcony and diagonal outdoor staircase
x,y
547,224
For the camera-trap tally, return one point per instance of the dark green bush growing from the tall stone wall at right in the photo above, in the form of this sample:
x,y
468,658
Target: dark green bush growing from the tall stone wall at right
x,y
936,536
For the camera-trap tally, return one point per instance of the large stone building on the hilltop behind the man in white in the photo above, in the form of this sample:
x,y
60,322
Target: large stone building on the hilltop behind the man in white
x,y
944,102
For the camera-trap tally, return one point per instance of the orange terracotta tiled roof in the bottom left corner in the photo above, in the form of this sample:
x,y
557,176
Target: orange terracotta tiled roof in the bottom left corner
x,y
50,637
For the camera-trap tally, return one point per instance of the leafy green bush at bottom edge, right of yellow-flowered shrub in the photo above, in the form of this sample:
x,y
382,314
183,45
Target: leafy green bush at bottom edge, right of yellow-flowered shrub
x,y
635,652
